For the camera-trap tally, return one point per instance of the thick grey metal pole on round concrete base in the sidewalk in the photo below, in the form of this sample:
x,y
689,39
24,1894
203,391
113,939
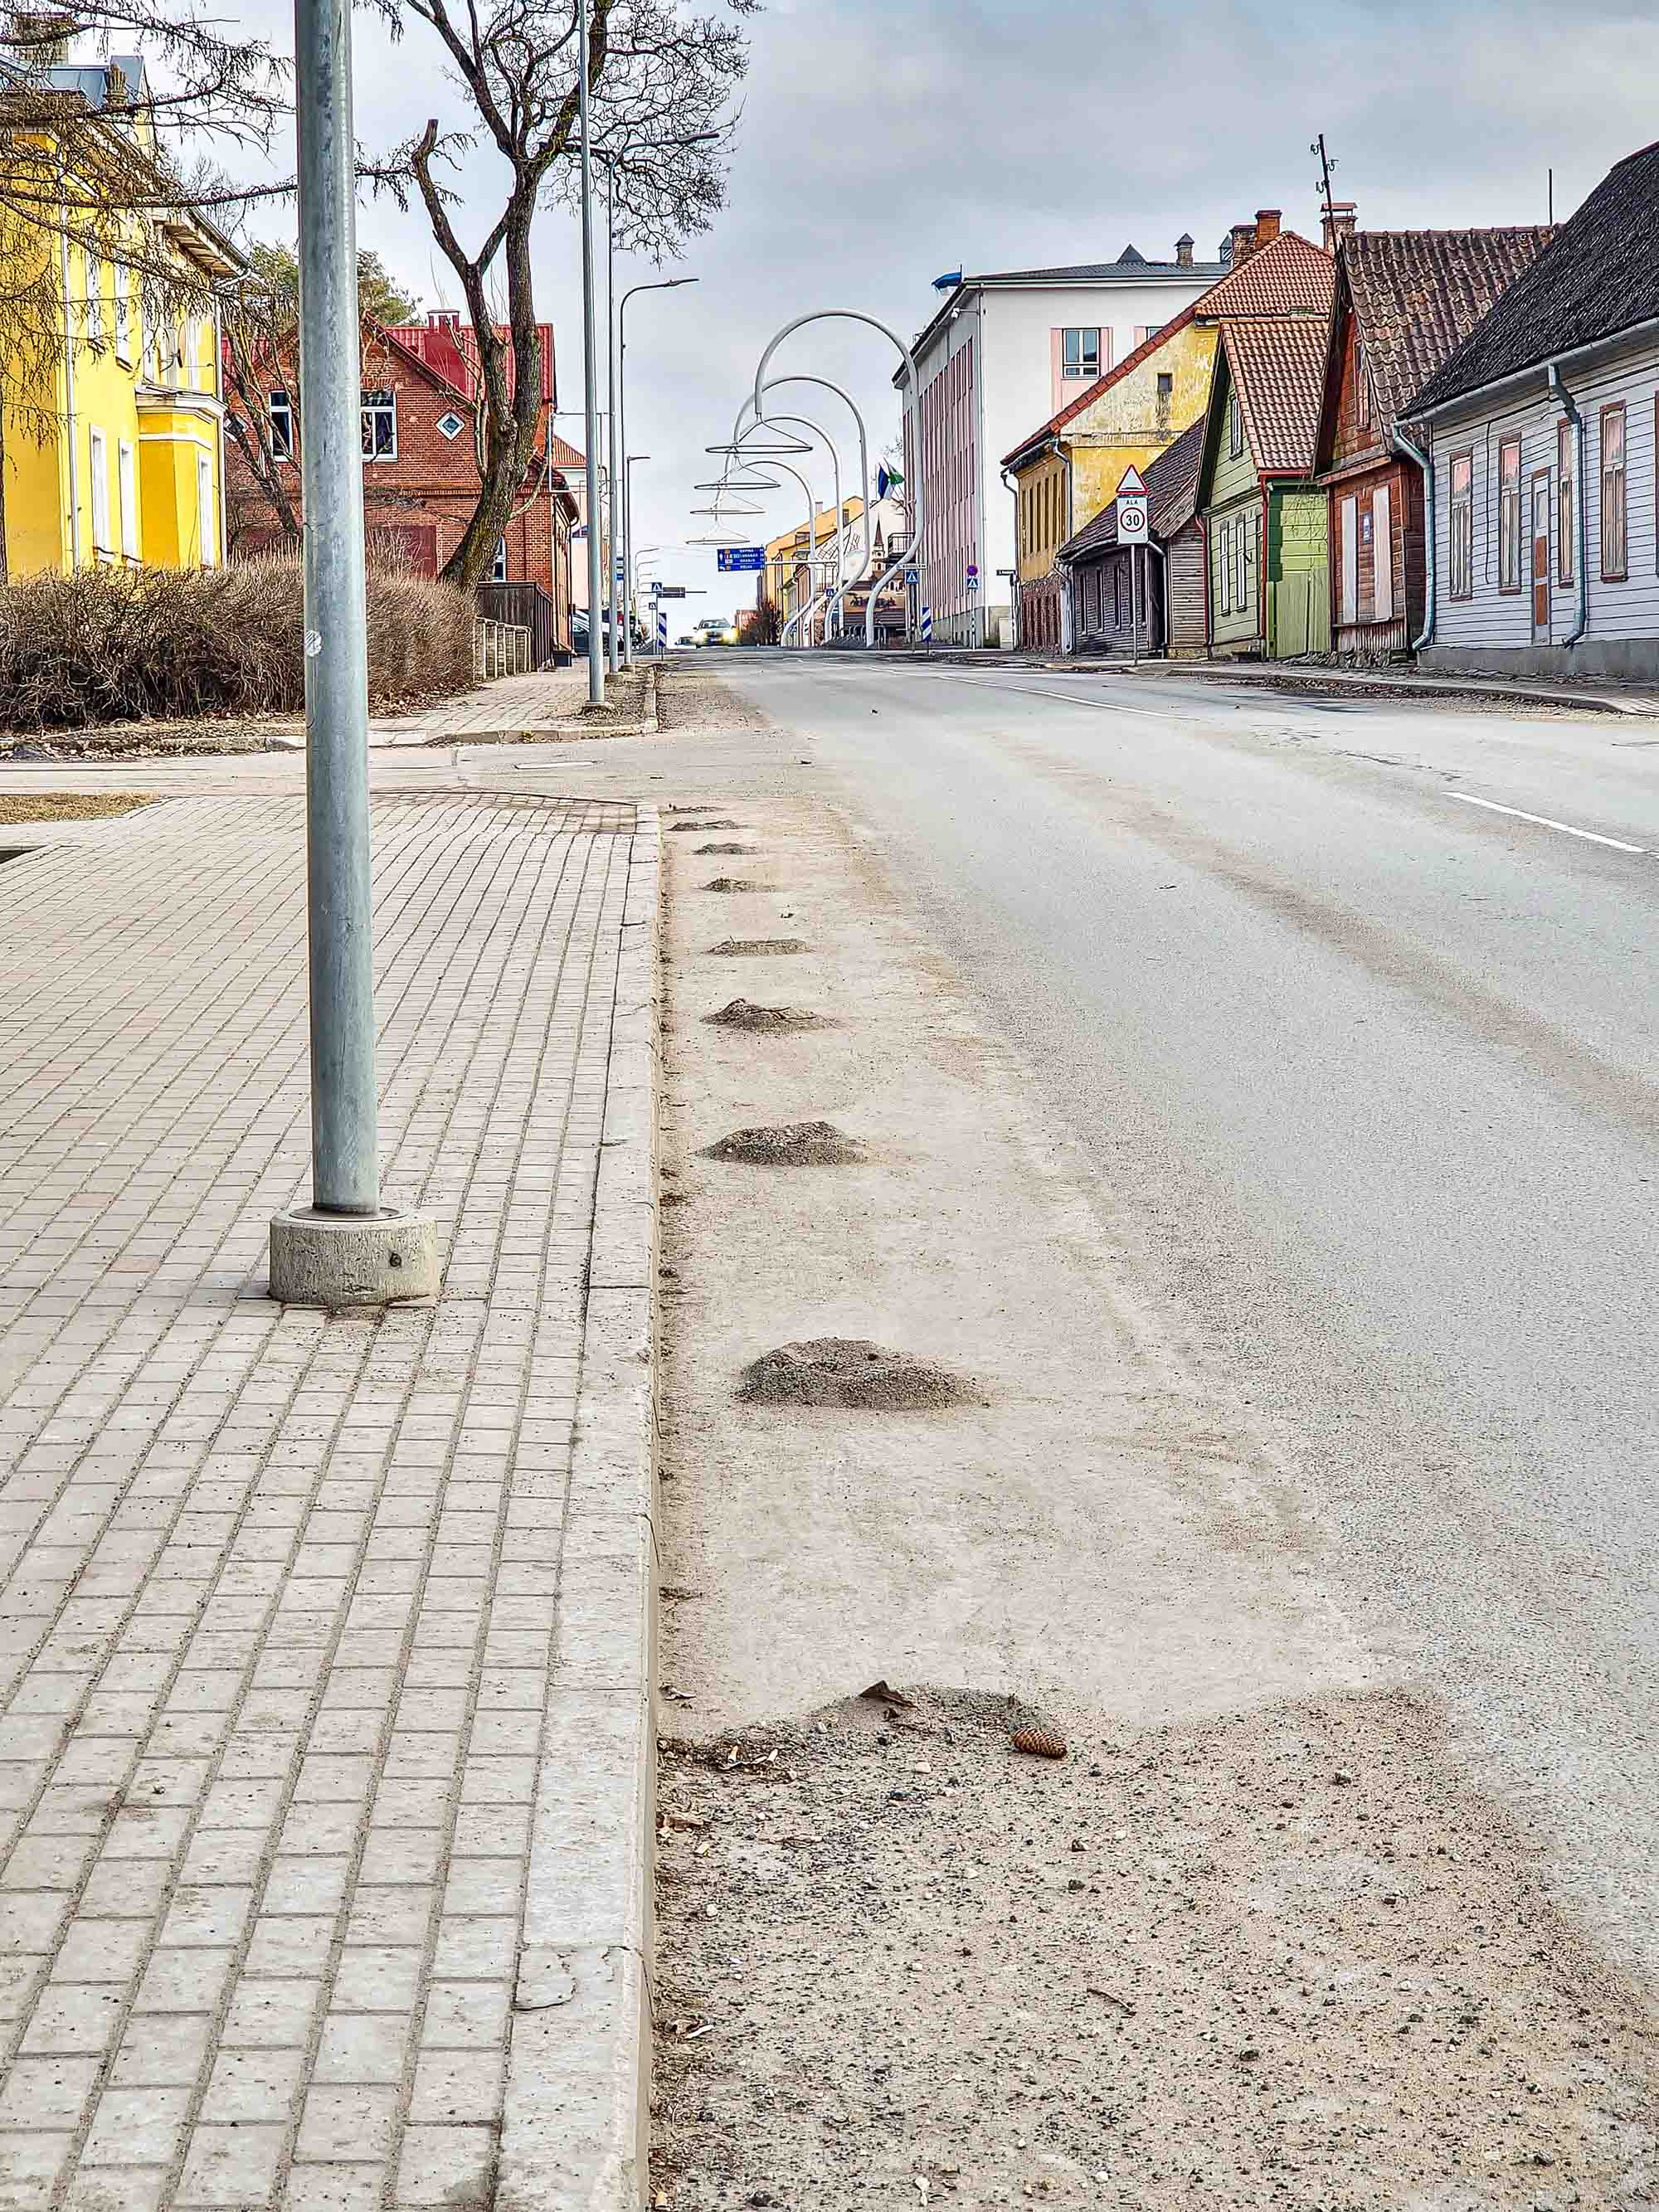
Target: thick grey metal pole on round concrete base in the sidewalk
x,y
344,1249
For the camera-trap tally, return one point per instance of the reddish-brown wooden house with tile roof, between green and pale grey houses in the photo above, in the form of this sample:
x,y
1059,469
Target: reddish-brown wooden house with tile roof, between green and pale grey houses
x,y
1406,300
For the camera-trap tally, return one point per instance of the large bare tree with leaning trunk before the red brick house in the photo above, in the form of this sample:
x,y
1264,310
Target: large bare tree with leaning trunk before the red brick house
x,y
662,81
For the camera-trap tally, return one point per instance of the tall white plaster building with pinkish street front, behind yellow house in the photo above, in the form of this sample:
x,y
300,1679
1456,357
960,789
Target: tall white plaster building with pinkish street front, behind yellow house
x,y
1003,353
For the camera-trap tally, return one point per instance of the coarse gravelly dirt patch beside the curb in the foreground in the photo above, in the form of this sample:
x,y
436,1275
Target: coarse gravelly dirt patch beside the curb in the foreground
x,y
1284,1959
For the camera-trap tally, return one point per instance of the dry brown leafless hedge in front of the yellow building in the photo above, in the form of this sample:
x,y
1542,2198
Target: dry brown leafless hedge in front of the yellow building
x,y
138,645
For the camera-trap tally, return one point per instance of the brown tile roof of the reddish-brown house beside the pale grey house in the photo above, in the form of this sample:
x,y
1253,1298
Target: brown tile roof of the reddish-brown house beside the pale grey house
x,y
1419,293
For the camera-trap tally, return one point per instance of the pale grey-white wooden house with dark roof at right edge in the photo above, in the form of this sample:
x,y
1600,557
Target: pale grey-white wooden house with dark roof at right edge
x,y
1541,435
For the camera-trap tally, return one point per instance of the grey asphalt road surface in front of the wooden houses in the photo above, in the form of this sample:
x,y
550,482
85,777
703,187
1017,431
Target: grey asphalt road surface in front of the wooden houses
x,y
1373,1078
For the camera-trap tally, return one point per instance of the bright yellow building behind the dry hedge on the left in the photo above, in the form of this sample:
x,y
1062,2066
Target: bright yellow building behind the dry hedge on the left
x,y
114,435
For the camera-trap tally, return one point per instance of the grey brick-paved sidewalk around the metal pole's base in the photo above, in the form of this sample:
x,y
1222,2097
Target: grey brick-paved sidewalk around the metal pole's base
x,y
282,1623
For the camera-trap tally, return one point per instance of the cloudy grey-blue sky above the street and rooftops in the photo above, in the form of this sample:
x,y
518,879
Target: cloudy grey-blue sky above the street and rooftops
x,y
881,147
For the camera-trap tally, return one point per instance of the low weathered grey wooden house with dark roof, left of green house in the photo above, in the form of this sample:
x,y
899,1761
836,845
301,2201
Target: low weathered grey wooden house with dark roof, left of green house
x,y
1169,592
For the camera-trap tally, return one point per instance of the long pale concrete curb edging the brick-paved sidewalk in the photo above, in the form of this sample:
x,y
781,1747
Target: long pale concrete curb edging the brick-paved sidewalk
x,y
578,2074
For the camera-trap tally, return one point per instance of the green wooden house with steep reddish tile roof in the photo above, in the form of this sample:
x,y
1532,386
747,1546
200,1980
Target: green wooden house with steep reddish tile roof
x,y
1264,519
